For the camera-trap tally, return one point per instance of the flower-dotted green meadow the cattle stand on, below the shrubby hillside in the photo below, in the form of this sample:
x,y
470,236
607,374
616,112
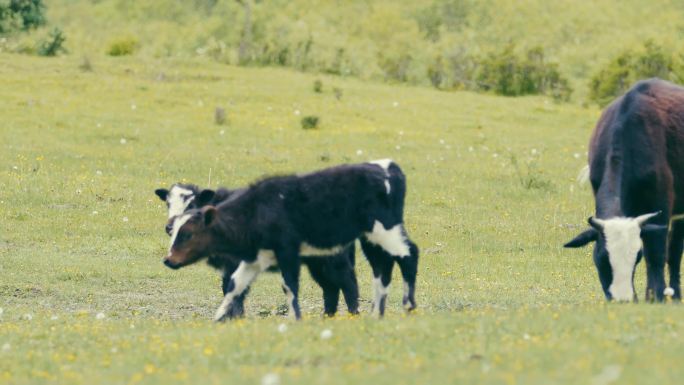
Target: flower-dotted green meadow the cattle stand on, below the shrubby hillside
x,y
500,300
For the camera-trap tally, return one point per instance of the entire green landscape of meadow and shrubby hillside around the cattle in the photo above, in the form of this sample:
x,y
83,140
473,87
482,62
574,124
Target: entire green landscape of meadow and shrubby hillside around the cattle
x,y
193,96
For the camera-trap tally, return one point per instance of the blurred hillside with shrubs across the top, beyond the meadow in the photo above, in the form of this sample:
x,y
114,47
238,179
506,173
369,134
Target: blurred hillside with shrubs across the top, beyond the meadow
x,y
582,51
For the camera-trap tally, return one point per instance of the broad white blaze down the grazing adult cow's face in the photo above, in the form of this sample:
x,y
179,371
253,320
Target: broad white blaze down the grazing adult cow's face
x,y
623,242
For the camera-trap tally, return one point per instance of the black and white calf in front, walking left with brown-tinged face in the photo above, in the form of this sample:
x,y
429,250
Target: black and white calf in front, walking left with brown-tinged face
x,y
279,219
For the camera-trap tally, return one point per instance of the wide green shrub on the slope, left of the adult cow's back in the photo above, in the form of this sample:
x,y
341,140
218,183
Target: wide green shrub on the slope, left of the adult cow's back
x,y
506,73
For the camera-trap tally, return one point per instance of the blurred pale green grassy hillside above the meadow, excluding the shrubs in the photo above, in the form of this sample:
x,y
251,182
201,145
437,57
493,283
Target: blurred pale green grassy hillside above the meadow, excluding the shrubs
x,y
388,40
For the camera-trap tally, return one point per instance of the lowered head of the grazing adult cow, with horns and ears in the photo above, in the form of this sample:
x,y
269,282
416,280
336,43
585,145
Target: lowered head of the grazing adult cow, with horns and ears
x,y
617,251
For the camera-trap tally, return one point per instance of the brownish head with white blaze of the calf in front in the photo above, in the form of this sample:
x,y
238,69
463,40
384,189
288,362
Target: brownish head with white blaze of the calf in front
x,y
191,237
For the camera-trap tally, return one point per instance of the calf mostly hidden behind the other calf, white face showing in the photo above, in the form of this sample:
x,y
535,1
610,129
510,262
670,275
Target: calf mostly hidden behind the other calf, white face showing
x,y
333,274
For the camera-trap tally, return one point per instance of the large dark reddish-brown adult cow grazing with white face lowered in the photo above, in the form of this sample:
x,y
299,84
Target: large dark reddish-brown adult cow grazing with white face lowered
x,y
636,165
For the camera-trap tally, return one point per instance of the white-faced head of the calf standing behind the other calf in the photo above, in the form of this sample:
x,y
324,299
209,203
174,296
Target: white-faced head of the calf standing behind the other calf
x,y
181,198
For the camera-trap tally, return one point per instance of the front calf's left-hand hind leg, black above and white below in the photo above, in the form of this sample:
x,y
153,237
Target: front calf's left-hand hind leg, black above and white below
x,y
381,263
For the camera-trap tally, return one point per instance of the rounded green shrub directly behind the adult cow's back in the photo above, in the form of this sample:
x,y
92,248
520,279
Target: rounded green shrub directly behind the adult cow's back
x,y
628,67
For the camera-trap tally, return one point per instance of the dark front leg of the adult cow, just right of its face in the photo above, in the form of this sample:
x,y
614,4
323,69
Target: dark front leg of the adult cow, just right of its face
x,y
654,254
